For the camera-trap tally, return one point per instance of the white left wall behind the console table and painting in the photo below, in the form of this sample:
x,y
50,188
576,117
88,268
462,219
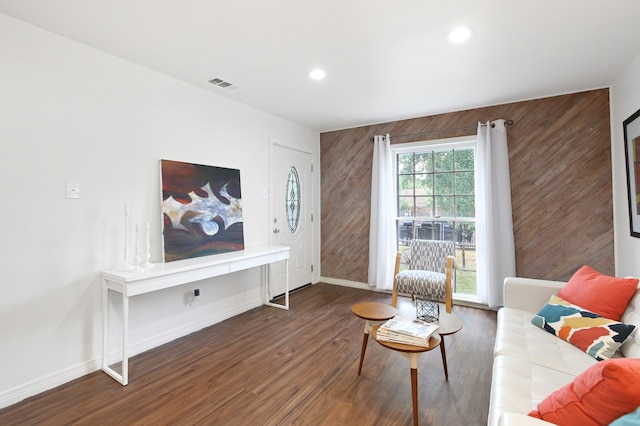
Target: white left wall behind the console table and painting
x,y
70,112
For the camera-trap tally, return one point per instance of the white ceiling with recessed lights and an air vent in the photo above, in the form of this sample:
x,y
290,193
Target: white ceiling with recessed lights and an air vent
x,y
385,59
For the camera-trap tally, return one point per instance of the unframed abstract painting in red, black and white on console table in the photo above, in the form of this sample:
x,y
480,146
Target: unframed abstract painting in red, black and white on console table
x,y
201,210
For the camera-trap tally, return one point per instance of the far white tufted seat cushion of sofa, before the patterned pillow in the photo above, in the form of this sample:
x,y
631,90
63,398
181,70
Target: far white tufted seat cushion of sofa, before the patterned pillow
x,y
517,337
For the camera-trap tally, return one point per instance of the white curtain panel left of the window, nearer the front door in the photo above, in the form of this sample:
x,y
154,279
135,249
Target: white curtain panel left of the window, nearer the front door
x,y
382,236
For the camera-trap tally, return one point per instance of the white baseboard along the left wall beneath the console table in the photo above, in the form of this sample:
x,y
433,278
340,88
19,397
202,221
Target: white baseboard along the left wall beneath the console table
x,y
34,387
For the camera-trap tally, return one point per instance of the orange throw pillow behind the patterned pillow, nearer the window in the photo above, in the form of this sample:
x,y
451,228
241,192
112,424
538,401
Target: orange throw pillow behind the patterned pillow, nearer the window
x,y
606,296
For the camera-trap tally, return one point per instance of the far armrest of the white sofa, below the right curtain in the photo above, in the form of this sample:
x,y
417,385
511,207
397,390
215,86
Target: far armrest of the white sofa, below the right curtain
x,y
529,294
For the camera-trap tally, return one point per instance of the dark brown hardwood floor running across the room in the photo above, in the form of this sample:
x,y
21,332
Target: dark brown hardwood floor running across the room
x,y
269,367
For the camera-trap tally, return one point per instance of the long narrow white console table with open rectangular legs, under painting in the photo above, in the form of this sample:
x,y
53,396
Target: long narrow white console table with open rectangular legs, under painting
x,y
165,275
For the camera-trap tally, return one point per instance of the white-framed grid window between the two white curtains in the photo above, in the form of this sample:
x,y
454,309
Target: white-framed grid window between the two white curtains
x,y
435,199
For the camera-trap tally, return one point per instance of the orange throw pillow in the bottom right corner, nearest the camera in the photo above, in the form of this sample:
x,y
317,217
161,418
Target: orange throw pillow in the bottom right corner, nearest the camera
x,y
598,396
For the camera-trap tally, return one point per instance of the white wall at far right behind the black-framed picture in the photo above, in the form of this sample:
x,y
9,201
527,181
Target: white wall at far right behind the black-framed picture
x,y
625,100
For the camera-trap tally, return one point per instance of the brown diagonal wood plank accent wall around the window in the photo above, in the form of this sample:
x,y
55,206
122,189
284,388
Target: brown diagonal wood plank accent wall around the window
x,y
560,161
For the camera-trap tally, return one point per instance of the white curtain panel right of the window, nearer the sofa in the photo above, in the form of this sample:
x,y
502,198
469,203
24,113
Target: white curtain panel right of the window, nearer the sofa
x,y
494,223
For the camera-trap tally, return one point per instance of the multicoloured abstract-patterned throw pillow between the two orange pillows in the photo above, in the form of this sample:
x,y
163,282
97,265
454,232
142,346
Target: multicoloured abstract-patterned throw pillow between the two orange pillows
x,y
597,336
